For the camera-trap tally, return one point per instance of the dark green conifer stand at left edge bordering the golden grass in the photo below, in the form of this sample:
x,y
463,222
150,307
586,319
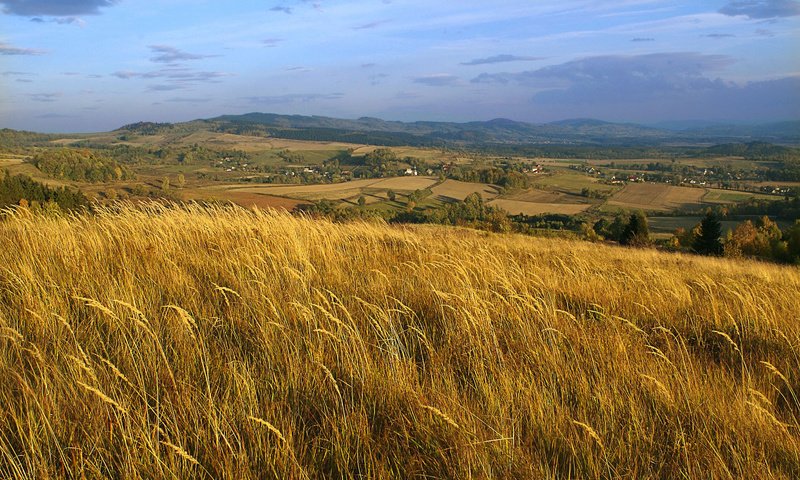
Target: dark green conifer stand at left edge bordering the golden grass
x,y
23,190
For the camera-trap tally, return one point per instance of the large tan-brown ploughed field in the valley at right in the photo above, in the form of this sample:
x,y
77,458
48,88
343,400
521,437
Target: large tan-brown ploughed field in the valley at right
x,y
649,196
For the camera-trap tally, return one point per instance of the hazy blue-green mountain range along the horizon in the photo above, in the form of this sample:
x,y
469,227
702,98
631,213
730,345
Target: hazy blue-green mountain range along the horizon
x,y
499,131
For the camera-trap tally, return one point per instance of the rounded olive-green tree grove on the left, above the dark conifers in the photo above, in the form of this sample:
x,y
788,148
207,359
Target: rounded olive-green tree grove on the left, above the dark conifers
x,y
81,165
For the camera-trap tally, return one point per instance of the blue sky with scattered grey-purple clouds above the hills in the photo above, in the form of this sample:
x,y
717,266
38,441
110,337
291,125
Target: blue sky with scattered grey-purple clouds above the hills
x,y
95,65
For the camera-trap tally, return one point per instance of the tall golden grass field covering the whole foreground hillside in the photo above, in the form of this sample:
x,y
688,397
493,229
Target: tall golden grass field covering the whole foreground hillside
x,y
186,342
